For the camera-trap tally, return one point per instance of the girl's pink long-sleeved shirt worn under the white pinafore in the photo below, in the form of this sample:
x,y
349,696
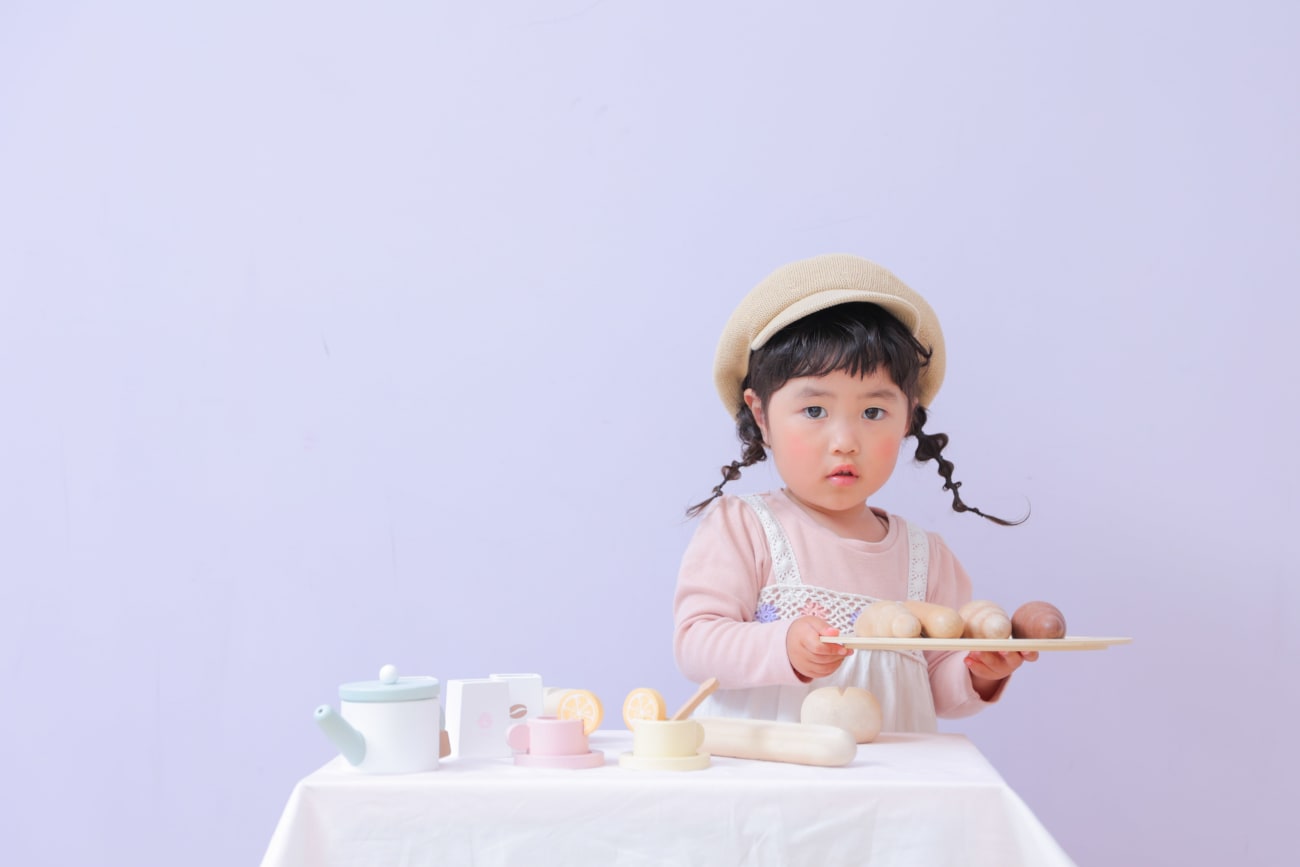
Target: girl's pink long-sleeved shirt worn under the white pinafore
x,y
729,562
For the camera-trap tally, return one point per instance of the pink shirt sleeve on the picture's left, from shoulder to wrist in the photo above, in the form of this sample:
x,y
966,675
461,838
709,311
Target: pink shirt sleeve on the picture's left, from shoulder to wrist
x,y
714,609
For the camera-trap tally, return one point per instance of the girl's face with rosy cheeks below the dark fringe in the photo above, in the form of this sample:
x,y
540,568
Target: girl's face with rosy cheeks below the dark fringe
x,y
835,439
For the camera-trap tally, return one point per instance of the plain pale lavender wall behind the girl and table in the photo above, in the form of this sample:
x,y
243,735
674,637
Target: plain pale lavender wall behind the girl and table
x,y
336,335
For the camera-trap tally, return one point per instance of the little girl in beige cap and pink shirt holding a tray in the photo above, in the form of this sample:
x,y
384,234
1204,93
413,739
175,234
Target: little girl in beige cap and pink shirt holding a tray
x,y
829,365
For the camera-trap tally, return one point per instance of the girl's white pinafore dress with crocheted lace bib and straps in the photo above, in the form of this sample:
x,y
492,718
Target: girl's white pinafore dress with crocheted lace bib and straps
x,y
900,680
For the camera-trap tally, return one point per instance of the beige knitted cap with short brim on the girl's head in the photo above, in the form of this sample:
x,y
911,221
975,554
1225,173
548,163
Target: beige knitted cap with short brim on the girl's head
x,y
811,285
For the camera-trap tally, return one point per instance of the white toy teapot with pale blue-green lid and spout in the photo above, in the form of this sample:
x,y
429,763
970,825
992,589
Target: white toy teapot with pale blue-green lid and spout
x,y
387,726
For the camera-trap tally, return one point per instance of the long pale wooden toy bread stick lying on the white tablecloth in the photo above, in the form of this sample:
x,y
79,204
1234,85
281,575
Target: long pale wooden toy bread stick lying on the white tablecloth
x,y
770,742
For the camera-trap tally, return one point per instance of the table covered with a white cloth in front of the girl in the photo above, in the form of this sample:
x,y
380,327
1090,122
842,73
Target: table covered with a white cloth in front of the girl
x,y
929,800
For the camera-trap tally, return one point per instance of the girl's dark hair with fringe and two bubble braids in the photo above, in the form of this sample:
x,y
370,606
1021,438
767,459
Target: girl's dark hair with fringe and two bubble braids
x,y
859,340
